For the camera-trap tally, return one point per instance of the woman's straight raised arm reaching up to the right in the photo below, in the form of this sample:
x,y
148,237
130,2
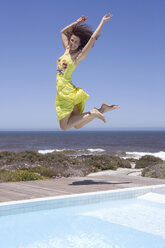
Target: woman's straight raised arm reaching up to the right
x,y
91,41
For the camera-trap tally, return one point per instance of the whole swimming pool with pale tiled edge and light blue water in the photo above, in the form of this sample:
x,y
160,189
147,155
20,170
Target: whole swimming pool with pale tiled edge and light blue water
x,y
129,218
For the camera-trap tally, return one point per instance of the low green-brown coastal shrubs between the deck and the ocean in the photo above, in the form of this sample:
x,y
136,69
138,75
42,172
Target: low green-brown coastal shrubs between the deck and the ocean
x,y
31,165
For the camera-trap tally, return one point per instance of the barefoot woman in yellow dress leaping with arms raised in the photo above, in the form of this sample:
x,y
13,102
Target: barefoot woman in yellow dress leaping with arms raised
x,y
70,100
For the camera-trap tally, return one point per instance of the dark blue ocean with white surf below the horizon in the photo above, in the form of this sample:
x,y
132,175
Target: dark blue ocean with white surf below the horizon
x,y
133,144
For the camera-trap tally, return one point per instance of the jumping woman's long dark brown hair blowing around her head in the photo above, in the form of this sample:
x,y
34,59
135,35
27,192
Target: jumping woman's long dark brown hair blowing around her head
x,y
84,32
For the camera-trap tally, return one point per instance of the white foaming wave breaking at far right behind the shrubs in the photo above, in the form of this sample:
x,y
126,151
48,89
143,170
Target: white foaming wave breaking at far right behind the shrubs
x,y
138,155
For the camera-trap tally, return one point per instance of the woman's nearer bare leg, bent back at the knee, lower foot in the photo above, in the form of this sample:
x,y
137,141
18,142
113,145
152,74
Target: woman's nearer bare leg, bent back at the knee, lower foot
x,y
77,119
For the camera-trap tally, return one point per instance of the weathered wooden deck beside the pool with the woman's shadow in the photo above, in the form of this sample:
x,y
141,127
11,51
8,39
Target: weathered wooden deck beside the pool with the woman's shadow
x,y
75,185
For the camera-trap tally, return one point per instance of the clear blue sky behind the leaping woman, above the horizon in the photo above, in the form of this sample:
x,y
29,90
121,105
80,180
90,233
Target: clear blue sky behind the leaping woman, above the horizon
x,y
126,66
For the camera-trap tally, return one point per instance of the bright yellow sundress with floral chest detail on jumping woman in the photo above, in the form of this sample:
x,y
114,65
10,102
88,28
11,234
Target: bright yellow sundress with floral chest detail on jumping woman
x,y
68,95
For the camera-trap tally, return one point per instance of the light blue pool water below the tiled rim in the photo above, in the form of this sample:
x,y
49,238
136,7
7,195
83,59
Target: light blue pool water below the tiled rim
x,y
127,223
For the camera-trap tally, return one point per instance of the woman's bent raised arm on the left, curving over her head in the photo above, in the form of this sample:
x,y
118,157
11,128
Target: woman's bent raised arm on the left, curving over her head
x,y
69,28
